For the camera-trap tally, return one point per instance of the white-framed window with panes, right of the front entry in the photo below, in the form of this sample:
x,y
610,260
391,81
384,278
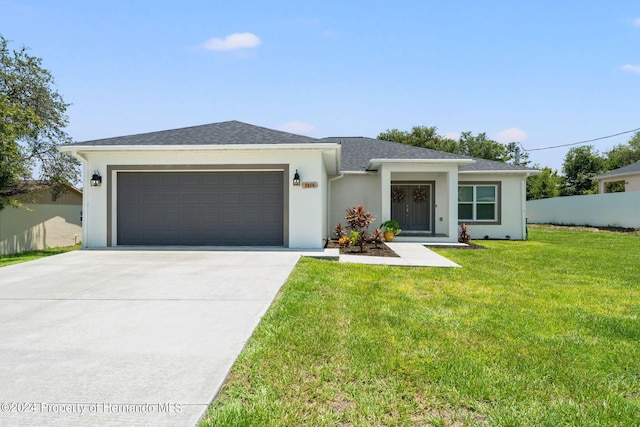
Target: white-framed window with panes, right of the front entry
x,y
478,203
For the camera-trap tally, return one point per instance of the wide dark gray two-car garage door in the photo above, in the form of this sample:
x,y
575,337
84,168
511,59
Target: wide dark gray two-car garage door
x,y
200,208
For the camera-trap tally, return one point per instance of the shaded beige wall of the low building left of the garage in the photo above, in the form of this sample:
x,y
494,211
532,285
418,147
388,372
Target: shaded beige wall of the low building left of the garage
x,y
39,226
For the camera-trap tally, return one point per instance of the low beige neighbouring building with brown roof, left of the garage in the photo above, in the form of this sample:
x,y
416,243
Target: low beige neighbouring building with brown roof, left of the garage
x,y
44,220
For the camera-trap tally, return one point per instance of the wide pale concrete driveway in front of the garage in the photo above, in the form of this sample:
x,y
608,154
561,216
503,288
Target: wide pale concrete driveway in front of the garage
x,y
127,337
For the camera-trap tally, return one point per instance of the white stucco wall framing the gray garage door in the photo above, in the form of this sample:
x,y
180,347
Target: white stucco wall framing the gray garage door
x,y
306,210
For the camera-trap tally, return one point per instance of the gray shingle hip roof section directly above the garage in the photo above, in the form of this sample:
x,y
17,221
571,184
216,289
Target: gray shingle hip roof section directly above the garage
x,y
232,132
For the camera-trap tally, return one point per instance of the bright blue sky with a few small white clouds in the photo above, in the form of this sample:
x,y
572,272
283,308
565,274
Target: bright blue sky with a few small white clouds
x,y
543,73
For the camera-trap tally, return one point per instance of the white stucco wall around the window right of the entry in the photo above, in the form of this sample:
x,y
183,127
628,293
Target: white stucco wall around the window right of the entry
x,y
513,195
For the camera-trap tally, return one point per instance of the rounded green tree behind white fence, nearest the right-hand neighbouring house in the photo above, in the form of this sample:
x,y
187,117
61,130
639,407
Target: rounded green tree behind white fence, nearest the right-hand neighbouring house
x,y
580,165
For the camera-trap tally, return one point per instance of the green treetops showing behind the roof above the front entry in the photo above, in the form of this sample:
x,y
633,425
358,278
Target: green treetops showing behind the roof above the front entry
x,y
468,144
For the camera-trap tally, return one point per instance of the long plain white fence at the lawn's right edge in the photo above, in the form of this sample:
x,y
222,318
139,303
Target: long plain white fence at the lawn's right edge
x,y
598,210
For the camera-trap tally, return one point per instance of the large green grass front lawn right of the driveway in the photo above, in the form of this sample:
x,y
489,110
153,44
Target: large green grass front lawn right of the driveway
x,y
538,333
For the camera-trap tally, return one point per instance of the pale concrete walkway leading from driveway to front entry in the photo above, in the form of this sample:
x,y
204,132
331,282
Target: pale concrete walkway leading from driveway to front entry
x,y
411,254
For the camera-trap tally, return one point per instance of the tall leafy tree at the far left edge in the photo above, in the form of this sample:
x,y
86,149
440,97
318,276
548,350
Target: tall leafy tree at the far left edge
x,y
32,122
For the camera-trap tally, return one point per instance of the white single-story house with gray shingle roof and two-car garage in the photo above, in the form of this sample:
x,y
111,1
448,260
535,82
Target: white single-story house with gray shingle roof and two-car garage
x,y
236,184
